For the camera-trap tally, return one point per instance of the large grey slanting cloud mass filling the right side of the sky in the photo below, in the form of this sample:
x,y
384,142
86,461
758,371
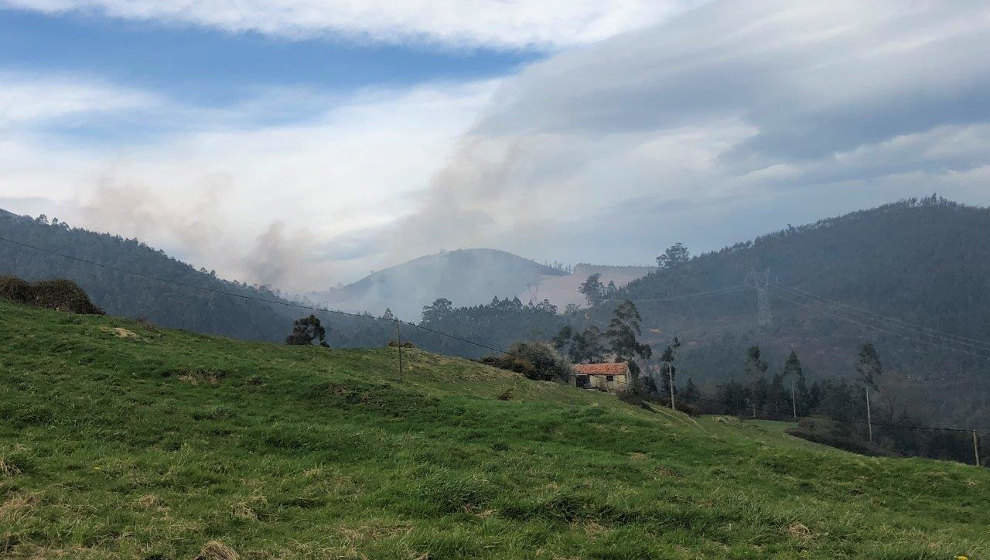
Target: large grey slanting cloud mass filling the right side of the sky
x,y
723,123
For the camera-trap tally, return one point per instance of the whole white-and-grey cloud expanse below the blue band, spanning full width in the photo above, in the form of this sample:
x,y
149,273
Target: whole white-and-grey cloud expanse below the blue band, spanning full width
x,y
729,121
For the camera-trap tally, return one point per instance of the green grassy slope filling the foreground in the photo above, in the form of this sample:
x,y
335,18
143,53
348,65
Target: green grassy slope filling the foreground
x,y
148,447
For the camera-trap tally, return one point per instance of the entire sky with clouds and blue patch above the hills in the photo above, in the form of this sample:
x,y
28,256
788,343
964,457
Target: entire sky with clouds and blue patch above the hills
x,y
305,143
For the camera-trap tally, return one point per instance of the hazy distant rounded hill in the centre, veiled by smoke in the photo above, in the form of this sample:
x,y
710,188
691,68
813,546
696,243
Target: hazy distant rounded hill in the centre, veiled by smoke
x,y
466,277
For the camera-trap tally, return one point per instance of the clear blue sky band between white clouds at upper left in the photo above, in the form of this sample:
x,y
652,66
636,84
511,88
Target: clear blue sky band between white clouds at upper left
x,y
212,67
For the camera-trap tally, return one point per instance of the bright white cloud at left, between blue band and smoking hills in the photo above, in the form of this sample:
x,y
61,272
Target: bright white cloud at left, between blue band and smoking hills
x,y
230,194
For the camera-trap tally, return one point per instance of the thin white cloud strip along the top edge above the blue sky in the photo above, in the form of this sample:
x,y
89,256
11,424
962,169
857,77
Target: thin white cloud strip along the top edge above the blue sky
x,y
500,23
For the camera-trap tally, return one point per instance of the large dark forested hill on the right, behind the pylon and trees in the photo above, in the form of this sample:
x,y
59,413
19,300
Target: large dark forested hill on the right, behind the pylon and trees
x,y
870,276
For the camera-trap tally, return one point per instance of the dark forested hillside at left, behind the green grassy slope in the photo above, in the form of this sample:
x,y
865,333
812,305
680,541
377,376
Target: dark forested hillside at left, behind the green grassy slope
x,y
162,289
